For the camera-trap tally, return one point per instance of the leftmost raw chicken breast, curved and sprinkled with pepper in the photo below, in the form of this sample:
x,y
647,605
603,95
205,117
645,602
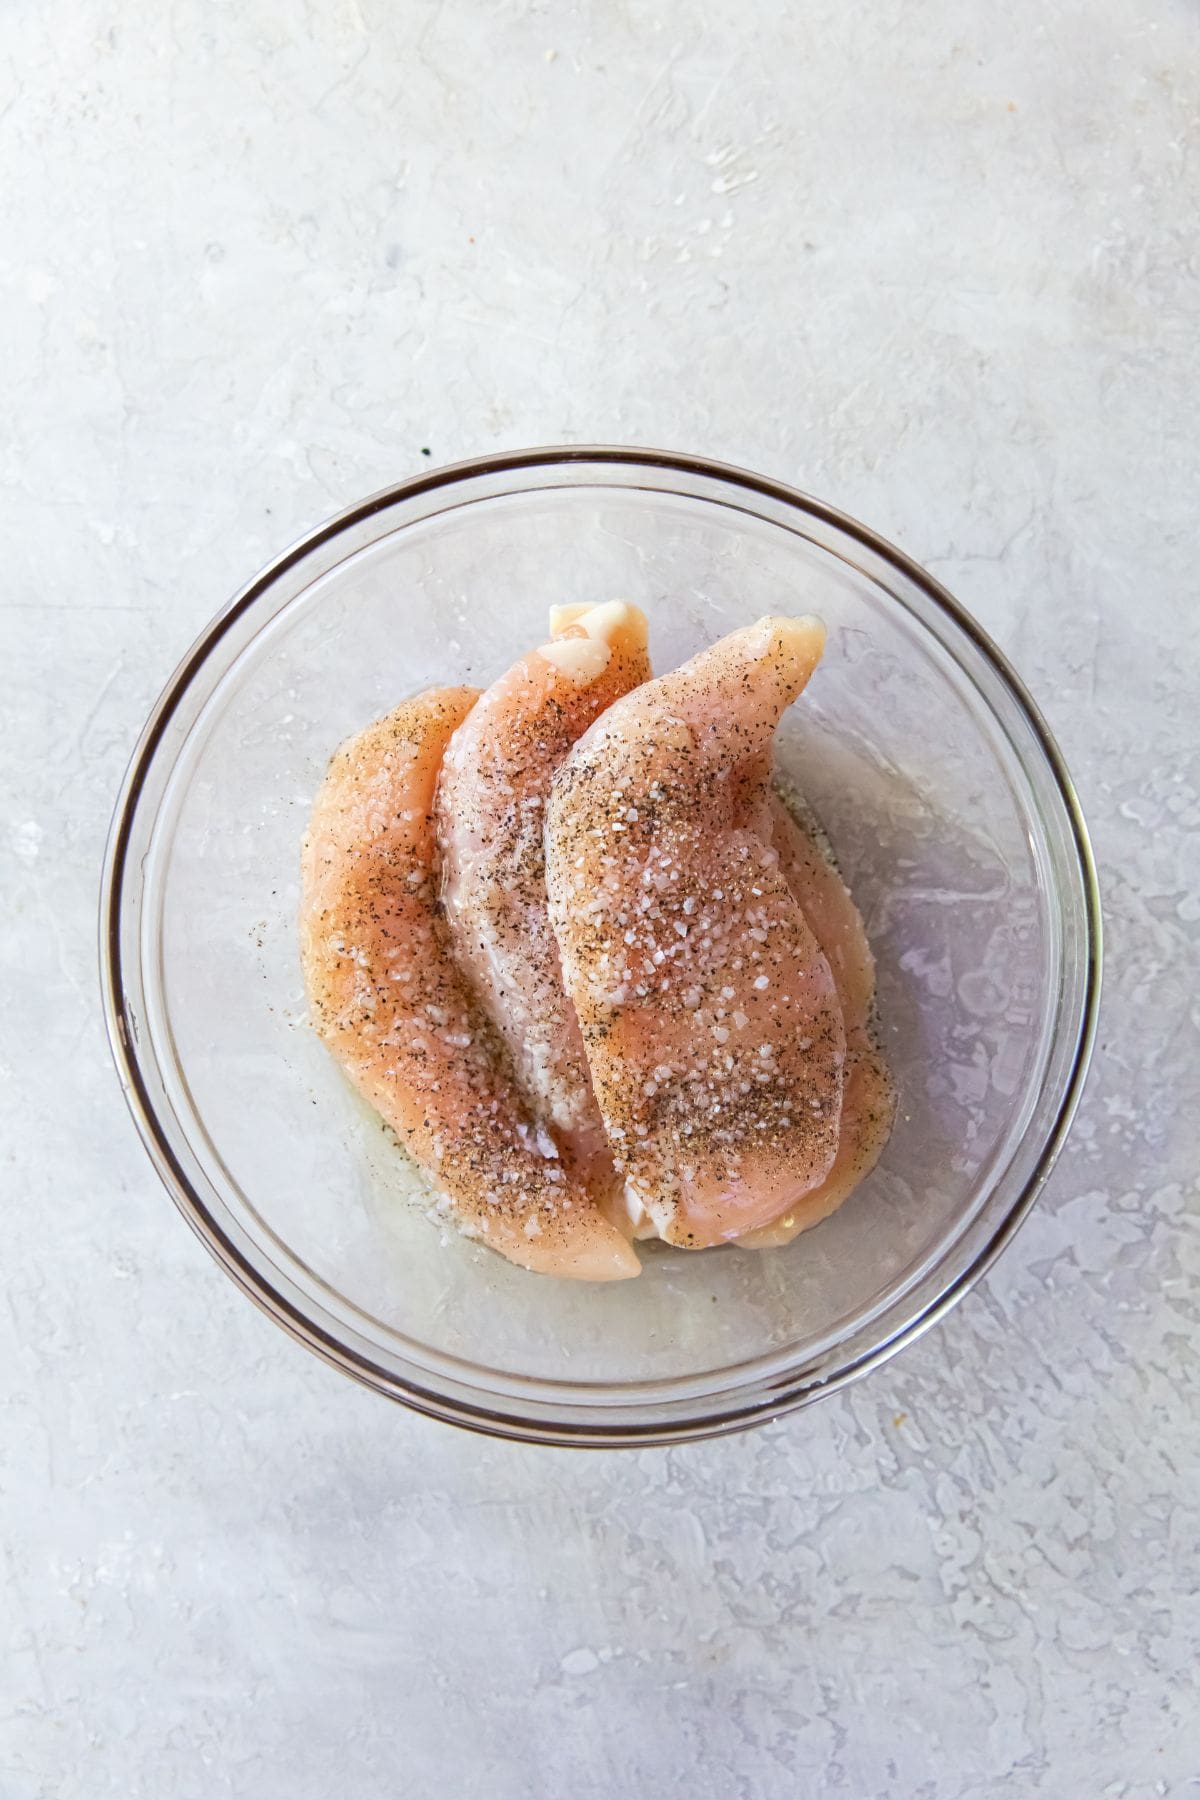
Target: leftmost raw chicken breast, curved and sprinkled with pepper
x,y
397,1012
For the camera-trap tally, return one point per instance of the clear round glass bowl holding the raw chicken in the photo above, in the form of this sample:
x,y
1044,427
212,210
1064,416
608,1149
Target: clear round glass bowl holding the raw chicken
x,y
929,766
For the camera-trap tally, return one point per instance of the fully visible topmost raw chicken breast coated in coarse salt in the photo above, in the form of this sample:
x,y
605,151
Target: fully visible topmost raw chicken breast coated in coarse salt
x,y
710,1014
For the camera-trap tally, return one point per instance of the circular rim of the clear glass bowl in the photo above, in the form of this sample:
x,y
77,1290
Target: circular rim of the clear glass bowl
x,y
280,1308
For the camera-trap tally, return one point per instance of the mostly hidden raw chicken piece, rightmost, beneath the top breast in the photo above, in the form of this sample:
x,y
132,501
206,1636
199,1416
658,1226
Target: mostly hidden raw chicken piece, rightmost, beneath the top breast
x,y
870,1093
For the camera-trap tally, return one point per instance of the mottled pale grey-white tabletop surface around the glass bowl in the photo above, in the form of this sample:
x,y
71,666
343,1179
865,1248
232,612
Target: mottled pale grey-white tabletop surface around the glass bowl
x,y
933,260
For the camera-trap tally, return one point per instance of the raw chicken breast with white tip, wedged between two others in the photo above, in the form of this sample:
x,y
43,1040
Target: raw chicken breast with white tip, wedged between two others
x,y
490,827
